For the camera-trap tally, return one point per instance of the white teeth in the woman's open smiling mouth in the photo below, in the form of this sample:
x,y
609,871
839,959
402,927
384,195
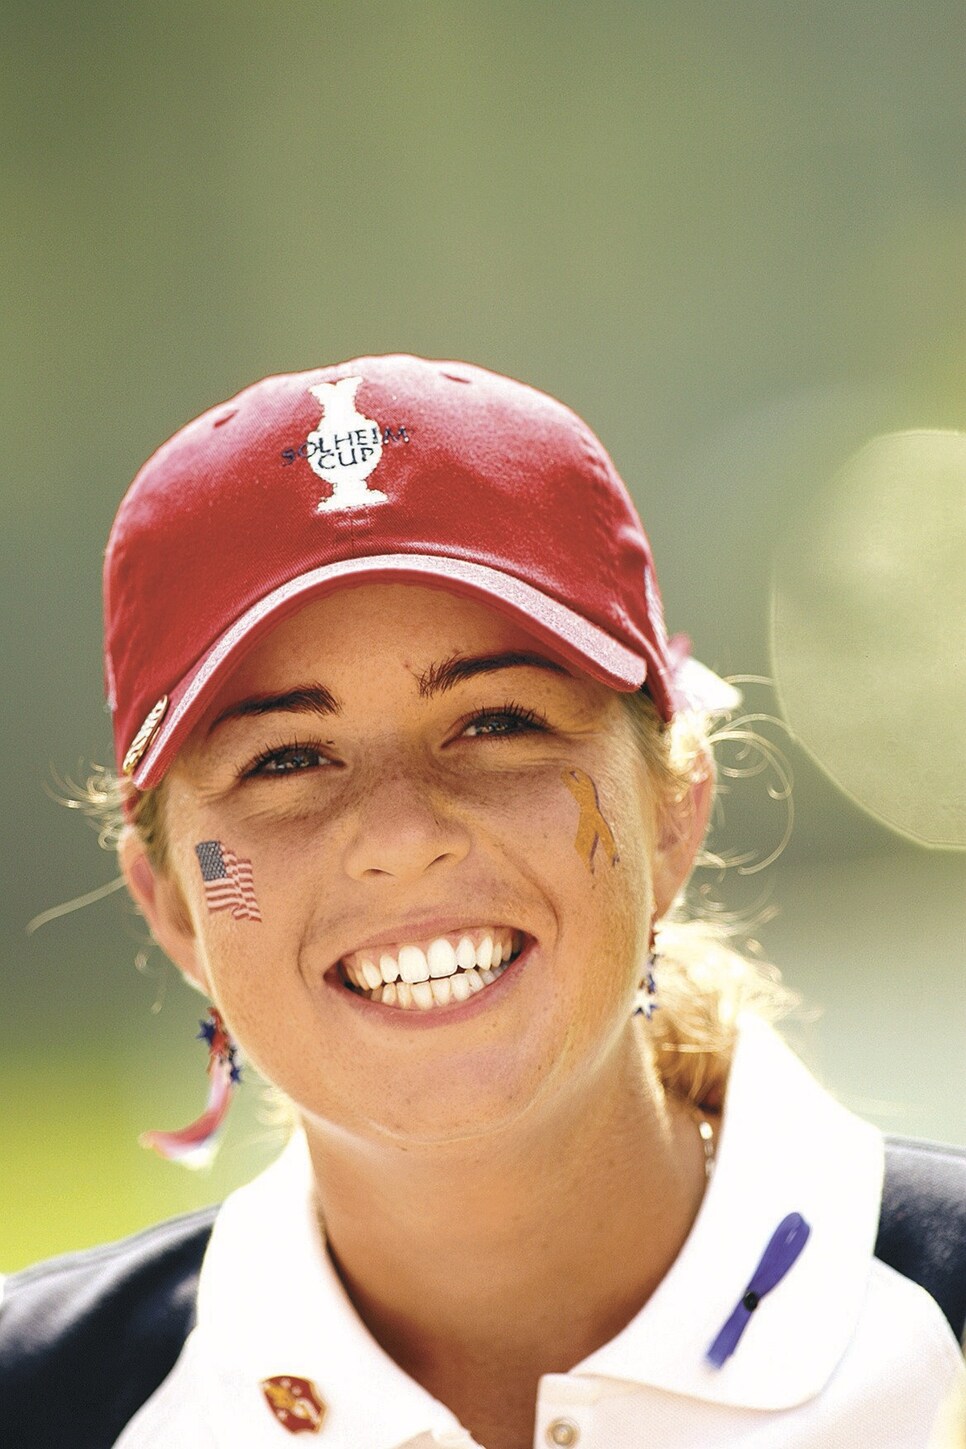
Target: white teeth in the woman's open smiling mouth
x,y
427,976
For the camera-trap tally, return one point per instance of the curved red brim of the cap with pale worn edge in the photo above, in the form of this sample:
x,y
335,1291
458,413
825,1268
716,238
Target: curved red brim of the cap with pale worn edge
x,y
566,632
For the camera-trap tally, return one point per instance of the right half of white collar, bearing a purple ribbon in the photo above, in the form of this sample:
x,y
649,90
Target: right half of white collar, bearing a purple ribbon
x,y
786,1147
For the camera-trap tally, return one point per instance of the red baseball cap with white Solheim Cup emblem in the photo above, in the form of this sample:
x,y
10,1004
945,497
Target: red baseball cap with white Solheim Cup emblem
x,y
385,469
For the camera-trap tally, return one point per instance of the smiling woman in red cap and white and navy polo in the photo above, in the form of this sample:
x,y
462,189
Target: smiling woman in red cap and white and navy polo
x,y
413,777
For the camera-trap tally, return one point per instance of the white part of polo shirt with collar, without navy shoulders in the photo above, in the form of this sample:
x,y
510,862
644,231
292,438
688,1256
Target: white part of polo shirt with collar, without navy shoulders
x,y
844,1353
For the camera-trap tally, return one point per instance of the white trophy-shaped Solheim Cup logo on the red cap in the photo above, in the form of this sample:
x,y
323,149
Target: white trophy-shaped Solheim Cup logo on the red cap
x,y
345,448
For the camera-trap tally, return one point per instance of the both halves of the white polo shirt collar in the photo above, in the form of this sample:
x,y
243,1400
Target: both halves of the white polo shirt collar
x,y
270,1300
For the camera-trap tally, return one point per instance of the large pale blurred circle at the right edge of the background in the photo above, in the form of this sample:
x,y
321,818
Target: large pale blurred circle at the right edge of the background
x,y
870,632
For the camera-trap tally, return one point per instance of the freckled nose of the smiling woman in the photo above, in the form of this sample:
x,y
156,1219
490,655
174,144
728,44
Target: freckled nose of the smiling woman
x,y
402,830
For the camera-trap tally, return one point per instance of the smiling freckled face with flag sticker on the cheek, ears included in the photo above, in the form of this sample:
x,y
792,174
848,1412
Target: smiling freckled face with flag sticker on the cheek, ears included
x,y
416,785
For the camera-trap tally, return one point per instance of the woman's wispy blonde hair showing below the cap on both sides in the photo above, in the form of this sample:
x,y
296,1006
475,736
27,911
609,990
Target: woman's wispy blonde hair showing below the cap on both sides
x,y
705,985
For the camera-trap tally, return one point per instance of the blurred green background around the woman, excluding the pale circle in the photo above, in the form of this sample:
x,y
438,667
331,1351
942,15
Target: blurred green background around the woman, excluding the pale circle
x,y
731,235
